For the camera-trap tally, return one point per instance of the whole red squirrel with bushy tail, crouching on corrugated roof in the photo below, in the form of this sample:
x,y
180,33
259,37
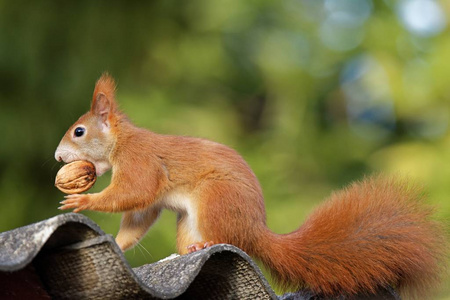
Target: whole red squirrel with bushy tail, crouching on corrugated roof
x,y
370,235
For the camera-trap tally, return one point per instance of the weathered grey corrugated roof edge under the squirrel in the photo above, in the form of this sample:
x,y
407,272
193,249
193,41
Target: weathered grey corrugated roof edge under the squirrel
x,y
70,257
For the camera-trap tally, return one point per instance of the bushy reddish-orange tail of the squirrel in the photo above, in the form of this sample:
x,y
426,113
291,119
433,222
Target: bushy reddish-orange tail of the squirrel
x,y
373,234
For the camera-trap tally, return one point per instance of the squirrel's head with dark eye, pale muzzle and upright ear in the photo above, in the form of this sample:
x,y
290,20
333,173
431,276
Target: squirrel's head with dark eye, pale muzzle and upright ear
x,y
92,137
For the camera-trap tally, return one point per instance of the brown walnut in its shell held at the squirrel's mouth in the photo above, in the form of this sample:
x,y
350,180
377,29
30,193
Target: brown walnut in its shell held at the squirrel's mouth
x,y
76,177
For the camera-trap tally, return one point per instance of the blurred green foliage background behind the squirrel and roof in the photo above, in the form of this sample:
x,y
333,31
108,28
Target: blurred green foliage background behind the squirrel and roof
x,y
311,106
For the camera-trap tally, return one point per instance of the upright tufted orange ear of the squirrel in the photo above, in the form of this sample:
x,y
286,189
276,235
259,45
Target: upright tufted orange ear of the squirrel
x,y
103,103
